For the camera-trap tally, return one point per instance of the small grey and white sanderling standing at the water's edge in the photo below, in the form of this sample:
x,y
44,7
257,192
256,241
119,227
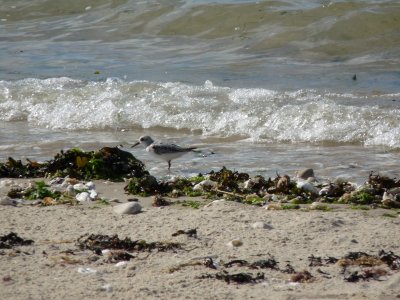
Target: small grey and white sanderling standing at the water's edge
x,y
166,152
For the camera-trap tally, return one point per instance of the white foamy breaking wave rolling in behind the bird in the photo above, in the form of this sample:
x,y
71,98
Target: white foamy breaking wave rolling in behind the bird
x,y
253,113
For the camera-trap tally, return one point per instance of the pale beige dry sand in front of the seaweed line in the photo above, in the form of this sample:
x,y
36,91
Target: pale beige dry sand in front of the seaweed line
x,y
48,269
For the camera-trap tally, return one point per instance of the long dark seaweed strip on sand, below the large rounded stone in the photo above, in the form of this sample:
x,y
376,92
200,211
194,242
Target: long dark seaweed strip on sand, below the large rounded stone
x,y
98,241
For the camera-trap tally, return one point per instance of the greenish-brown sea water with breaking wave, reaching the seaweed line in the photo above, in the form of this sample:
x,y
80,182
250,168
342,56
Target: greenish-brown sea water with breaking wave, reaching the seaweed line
x,y
263,87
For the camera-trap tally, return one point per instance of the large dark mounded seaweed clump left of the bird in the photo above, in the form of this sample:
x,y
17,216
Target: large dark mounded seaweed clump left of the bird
x,y
107,163
